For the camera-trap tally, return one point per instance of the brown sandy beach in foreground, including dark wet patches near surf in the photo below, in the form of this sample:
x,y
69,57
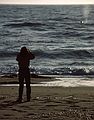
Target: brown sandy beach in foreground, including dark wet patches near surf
x,y
47,103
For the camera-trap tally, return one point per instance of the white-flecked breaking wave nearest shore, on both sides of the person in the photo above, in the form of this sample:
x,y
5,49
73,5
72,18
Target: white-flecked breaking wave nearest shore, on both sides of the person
x,y
50,71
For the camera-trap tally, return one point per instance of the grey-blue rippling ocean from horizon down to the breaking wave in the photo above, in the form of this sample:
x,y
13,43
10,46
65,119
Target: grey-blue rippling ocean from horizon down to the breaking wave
x,y
60,36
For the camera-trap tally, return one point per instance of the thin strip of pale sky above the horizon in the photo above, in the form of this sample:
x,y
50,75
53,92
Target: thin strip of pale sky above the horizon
x,y
46,1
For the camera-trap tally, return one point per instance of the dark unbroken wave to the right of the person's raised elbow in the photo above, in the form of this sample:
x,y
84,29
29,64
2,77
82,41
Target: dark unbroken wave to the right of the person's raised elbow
x,y
65,53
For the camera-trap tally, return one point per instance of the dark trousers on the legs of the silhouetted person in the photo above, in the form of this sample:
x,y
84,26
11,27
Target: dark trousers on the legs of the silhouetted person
x,y
24,74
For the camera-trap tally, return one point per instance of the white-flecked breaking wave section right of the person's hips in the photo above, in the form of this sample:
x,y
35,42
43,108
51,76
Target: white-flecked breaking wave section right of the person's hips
x,y
63,71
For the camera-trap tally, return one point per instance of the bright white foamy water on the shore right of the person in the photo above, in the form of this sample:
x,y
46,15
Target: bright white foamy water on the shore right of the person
x,y
70,82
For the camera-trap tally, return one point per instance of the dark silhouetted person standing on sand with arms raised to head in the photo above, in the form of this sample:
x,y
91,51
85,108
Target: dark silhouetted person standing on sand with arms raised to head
x,y
23,59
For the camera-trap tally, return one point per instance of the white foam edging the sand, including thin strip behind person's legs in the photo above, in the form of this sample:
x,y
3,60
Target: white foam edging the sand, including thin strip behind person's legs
x,y
64,82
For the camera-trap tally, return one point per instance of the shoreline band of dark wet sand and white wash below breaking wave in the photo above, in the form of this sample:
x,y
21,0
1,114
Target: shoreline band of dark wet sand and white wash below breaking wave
x,y
51,81
